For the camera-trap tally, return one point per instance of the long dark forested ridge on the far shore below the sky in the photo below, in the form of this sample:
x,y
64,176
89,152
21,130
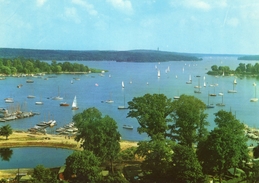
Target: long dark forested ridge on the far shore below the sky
x,y
119,56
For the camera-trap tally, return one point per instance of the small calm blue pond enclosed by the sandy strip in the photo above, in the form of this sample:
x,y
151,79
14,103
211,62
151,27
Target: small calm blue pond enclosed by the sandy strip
x,y
30,157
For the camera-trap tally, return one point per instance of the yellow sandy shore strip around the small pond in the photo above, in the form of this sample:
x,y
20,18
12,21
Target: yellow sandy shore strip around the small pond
x,y
25,139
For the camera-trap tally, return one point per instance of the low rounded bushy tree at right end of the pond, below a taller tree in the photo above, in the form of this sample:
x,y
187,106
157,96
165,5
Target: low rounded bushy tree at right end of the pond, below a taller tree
x,y
82,166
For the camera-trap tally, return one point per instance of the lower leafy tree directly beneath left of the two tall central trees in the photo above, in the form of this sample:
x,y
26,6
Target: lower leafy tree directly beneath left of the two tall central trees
x,y
157,155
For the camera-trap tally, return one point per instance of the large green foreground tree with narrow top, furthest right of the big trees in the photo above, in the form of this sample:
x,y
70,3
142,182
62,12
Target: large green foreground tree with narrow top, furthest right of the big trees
x,y
225,146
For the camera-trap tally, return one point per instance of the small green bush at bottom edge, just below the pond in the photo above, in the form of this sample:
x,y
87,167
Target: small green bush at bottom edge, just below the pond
x,y
42,175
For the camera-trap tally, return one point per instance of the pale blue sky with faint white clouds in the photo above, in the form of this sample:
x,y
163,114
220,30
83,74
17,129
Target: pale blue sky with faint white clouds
x,y
193,26
